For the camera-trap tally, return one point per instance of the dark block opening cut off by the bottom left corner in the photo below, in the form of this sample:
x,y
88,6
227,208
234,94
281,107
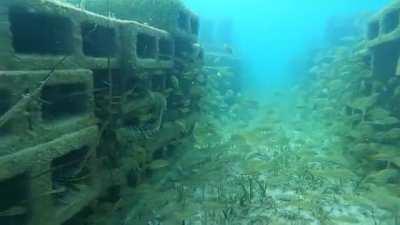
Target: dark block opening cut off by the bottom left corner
x,y
14,204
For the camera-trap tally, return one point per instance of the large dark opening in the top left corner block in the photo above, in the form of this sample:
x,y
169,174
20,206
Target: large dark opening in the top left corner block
x,y
36,33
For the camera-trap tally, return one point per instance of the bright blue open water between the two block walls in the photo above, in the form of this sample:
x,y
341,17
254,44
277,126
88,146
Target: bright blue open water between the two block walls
x,y
271,36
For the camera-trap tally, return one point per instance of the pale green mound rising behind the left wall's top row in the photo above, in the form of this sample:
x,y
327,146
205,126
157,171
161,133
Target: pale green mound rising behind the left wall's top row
x,y
169,15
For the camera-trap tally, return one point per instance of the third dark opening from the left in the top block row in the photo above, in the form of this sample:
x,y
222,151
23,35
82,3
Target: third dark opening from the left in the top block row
x,y
146,46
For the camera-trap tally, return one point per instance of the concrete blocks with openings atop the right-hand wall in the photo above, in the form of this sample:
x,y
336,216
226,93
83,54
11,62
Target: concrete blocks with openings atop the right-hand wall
x,y
383,39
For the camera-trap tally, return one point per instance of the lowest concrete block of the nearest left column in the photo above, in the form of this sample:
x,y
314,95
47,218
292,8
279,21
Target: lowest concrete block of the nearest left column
x,y
56,179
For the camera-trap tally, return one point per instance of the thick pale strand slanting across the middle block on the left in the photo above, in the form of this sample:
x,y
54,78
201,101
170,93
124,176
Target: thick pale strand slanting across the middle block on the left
x,y
27,98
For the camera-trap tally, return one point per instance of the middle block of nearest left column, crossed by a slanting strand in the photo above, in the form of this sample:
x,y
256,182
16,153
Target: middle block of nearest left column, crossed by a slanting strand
x,y
65,104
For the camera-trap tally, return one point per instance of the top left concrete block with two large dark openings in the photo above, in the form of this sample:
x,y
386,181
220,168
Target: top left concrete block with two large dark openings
x,y
39,35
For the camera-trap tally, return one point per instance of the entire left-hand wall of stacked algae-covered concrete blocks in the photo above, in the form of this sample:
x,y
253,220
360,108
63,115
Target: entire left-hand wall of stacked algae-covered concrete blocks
x,y
88,99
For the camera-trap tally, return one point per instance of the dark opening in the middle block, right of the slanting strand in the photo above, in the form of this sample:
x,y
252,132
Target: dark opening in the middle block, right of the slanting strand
x,y
60,101
